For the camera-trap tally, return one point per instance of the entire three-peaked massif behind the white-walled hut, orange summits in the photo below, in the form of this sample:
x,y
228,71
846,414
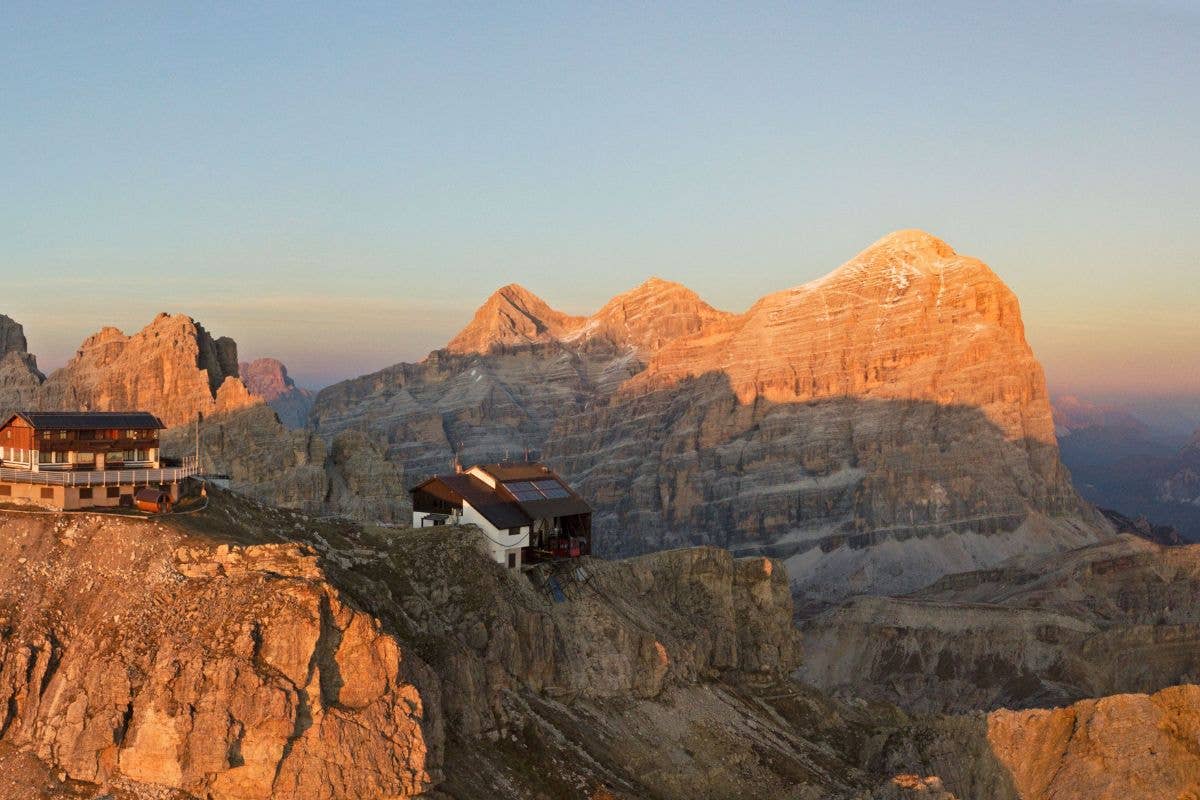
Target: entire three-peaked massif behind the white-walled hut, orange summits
x,y
880,428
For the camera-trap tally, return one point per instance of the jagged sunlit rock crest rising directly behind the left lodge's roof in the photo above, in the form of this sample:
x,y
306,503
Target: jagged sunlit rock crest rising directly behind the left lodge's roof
x,y
173,369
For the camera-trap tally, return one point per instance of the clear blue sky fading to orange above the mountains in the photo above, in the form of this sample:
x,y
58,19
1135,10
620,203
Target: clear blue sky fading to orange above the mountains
x,y
340,185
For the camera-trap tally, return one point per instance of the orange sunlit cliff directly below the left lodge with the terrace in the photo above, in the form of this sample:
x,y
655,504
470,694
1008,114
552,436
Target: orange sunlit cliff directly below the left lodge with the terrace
x,y
131,654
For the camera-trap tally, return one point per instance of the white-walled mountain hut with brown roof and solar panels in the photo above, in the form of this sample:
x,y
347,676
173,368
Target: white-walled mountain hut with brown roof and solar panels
x,y
527,513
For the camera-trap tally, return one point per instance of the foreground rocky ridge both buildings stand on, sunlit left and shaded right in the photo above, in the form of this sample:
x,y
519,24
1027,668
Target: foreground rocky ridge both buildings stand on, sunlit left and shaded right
x,y
245,653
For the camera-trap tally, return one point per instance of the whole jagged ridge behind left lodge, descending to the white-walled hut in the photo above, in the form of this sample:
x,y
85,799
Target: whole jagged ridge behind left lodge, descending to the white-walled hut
x,y
178,371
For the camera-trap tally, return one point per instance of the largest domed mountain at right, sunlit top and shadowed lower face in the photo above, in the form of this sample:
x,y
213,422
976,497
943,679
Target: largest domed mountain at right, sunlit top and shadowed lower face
x,y
879,428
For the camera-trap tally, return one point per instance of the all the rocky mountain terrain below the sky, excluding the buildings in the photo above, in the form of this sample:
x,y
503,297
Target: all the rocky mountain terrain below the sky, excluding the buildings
x,y
877,447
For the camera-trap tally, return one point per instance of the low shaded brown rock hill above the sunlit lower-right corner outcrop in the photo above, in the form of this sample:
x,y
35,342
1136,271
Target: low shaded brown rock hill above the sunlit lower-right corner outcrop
x,y
1040,631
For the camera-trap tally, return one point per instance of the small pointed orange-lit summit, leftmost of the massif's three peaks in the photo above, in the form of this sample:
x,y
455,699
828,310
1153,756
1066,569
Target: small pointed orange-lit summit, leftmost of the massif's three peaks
x,y
512,316
